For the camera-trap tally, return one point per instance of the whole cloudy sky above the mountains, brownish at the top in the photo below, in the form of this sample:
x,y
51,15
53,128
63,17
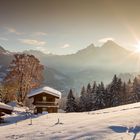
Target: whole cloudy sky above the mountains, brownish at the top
x,y
66,26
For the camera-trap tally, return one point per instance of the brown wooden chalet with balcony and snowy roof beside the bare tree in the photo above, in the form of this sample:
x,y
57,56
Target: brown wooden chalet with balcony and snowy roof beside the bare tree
x,y
45,99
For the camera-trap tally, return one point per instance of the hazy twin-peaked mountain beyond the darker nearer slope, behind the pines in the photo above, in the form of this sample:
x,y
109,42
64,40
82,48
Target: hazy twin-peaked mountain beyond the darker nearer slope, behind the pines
x,y
92,63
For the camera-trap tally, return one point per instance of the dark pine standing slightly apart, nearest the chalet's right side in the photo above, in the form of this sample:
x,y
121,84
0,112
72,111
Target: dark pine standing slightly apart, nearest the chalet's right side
x,y
71,105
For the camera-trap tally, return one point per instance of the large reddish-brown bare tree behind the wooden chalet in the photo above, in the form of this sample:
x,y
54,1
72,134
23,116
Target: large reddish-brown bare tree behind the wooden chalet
x,y
26,71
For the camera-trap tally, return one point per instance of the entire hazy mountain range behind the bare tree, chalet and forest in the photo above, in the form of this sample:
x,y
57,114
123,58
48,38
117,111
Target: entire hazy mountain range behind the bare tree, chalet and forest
x,y
87,65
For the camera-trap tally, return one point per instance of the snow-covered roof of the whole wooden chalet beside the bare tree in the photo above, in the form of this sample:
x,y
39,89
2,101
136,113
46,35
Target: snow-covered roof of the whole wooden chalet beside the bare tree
x,y
45,89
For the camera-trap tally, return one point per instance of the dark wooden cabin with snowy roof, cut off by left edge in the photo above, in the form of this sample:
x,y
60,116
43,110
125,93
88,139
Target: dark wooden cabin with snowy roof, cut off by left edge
x,y
5,109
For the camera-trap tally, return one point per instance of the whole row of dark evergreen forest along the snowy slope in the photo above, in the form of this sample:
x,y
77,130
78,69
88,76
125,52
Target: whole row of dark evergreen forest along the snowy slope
x,y
99,96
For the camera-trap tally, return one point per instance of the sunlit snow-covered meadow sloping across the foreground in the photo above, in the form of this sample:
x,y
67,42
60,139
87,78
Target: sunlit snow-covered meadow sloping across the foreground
x,y
118,123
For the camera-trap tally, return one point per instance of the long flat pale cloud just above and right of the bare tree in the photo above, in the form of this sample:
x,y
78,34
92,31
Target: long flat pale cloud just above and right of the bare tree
x,y
32,42
